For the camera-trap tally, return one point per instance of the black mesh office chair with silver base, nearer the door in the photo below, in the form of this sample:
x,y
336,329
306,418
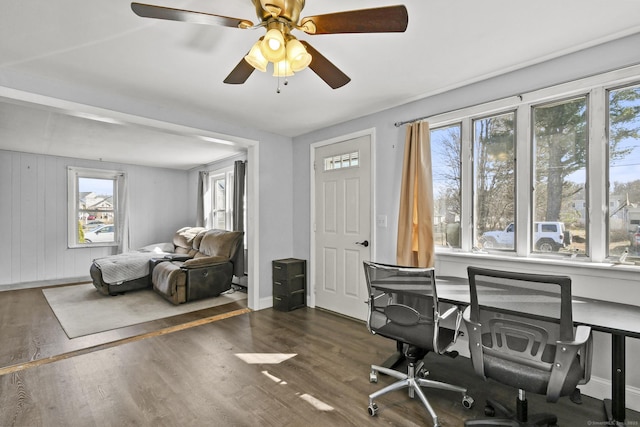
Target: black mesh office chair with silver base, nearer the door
x,y
403,306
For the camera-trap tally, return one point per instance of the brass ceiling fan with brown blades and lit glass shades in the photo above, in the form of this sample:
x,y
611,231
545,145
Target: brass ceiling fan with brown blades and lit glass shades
x,y
278,46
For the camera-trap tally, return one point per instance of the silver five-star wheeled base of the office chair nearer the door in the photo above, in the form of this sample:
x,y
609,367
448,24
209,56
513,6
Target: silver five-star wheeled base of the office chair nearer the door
x,y
414,385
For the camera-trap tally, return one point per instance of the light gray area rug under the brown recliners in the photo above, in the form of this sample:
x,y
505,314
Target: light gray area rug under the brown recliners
x,y
81,310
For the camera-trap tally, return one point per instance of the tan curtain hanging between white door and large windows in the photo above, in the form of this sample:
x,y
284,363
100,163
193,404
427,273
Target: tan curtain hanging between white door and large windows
x,y
415,245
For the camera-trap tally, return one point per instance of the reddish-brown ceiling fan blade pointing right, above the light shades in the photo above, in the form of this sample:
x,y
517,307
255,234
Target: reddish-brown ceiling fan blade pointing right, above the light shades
x,y
390,19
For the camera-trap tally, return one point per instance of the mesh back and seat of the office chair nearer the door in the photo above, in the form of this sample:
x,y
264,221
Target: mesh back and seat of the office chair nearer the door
x,y
411,315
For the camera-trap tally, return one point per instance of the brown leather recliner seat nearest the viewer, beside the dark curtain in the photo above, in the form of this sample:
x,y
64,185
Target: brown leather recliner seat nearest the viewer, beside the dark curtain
x,y
203,274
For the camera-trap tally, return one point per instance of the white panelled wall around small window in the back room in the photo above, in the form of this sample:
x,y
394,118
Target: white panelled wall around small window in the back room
x,y
33,214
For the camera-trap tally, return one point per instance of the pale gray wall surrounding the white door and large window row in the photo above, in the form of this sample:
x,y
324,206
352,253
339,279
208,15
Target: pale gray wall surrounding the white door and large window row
x,y
617,285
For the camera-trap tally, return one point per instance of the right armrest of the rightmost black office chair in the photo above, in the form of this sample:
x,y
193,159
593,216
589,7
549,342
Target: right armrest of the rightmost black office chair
x,y
566,352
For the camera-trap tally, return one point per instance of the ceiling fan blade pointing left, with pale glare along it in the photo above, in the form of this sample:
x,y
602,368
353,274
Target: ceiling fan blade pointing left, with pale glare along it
x,y
161,12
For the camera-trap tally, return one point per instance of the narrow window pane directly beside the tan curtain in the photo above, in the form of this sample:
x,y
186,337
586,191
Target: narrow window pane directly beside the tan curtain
x,y
445,160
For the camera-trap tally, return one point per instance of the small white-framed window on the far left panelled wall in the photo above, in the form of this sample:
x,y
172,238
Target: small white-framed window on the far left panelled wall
x,y
93,207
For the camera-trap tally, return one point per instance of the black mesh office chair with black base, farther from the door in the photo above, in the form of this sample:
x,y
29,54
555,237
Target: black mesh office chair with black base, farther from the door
x,y
521,334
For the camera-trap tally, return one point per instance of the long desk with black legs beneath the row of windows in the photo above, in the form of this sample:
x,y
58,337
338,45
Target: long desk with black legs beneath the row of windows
x,y
619,320
